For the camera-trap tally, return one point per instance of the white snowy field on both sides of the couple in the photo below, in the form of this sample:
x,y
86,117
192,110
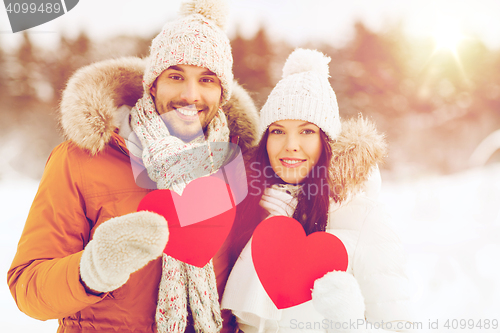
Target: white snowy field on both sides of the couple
x,y
450,227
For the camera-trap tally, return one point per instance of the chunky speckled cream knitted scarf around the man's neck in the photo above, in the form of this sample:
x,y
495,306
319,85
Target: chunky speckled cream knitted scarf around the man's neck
x,y
172,164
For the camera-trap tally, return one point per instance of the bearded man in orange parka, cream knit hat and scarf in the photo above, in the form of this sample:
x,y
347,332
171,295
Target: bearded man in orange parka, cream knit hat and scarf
x,y
86,256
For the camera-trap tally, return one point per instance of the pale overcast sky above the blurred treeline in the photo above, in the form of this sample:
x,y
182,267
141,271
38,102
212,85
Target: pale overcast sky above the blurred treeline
x,y
294,20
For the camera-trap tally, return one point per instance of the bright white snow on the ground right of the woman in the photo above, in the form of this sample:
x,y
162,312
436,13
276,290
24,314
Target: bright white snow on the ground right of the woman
x,y
451,230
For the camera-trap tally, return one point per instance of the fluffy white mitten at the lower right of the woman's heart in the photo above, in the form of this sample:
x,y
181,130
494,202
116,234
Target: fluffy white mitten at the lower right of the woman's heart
x,y
338,298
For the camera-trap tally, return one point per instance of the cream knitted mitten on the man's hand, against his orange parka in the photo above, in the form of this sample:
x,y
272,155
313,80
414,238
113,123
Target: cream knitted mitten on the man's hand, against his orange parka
x,y
121,246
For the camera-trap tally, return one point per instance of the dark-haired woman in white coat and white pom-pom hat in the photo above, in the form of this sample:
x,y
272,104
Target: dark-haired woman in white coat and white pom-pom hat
x,y
310,167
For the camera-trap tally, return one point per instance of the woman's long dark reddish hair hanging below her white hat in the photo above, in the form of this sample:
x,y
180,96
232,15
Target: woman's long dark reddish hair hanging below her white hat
x,y
313,199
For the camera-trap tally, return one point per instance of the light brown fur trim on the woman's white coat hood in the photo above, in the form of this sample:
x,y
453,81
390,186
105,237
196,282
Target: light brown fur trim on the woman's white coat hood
x,y
356,153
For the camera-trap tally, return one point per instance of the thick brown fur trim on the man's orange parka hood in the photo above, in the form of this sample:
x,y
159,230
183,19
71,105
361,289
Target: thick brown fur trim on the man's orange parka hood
x,y
89,108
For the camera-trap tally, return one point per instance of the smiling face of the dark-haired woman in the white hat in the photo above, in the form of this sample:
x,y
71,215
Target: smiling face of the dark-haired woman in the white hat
x,y
293,147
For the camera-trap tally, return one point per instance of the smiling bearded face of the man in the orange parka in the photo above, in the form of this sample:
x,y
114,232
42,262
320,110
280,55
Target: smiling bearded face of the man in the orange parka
x,y
187,98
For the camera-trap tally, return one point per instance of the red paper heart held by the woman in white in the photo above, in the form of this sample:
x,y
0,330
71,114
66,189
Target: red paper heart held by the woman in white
x,y
288,262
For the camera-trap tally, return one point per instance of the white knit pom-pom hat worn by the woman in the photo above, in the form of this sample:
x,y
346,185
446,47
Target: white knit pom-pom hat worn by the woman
x,y
303,93
